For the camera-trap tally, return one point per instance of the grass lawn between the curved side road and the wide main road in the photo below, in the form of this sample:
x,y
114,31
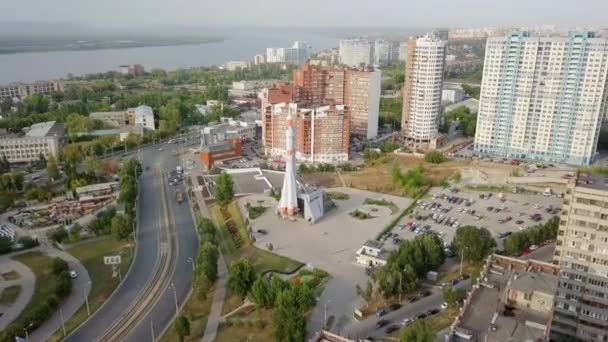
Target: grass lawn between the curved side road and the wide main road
x,y
91,256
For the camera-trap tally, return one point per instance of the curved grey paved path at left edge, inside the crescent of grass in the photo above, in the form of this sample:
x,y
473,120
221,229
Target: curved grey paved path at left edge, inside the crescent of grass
x,y
27,281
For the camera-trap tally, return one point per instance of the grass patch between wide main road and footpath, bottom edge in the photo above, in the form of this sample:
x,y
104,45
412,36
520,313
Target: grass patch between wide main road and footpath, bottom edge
x,y
197,311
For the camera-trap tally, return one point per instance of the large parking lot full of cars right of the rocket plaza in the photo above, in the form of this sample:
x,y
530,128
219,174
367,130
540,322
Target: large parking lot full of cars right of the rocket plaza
x,y
444,211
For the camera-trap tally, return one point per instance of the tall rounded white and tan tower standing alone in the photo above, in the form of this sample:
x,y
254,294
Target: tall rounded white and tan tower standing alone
x,y
424,66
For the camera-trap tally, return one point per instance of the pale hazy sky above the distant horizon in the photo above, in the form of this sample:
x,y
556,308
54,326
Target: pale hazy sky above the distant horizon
x,y
139,14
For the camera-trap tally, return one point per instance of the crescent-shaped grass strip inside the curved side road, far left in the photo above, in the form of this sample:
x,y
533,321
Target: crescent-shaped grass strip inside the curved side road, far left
x,y
41,266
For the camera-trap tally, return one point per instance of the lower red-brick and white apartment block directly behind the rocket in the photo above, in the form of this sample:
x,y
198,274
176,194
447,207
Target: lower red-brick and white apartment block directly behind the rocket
x,y
321,133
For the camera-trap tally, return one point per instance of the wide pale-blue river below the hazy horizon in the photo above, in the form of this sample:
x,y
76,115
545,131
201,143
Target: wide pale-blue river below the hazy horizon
x,y
27,67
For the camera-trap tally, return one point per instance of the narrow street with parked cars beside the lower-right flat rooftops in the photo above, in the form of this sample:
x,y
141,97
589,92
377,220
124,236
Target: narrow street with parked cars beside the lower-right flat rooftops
x,y
367,327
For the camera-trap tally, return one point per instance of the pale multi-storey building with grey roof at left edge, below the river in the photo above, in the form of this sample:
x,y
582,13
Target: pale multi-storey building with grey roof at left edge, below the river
x,y
44,138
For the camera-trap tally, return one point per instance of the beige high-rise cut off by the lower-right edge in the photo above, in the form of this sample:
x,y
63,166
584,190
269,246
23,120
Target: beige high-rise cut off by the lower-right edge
x,y
581,301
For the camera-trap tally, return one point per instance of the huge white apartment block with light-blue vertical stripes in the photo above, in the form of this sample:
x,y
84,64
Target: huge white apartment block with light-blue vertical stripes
x,y
543,98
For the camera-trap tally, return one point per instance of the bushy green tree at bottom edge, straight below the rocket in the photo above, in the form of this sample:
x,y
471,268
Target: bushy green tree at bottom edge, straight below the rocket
x,y
288,319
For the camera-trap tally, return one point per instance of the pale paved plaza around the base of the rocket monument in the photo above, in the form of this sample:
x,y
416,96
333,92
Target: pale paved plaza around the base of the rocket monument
x,y
329,244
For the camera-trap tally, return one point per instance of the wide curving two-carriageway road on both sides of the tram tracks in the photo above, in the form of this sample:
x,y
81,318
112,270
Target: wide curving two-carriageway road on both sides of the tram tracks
x,y
149,209
